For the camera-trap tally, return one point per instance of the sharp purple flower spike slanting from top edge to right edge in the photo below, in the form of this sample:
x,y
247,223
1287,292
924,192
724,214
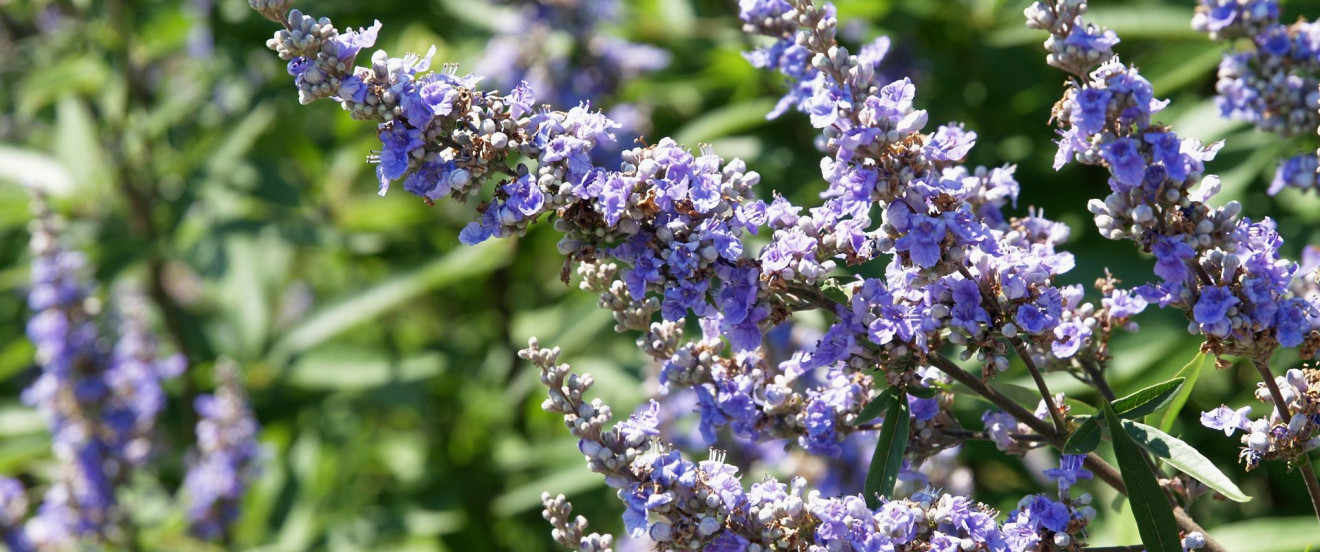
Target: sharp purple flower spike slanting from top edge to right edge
x,y
1226,273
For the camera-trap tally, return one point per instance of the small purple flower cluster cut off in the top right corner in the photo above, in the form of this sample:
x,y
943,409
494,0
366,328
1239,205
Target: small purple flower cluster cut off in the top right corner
x,y
1274,85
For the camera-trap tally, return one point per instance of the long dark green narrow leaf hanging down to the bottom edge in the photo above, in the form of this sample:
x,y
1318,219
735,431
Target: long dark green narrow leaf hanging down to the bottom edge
x,y
1150,506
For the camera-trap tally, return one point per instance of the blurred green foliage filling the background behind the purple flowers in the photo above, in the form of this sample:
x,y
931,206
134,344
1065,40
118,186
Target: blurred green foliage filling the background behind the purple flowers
x,y
381,355
